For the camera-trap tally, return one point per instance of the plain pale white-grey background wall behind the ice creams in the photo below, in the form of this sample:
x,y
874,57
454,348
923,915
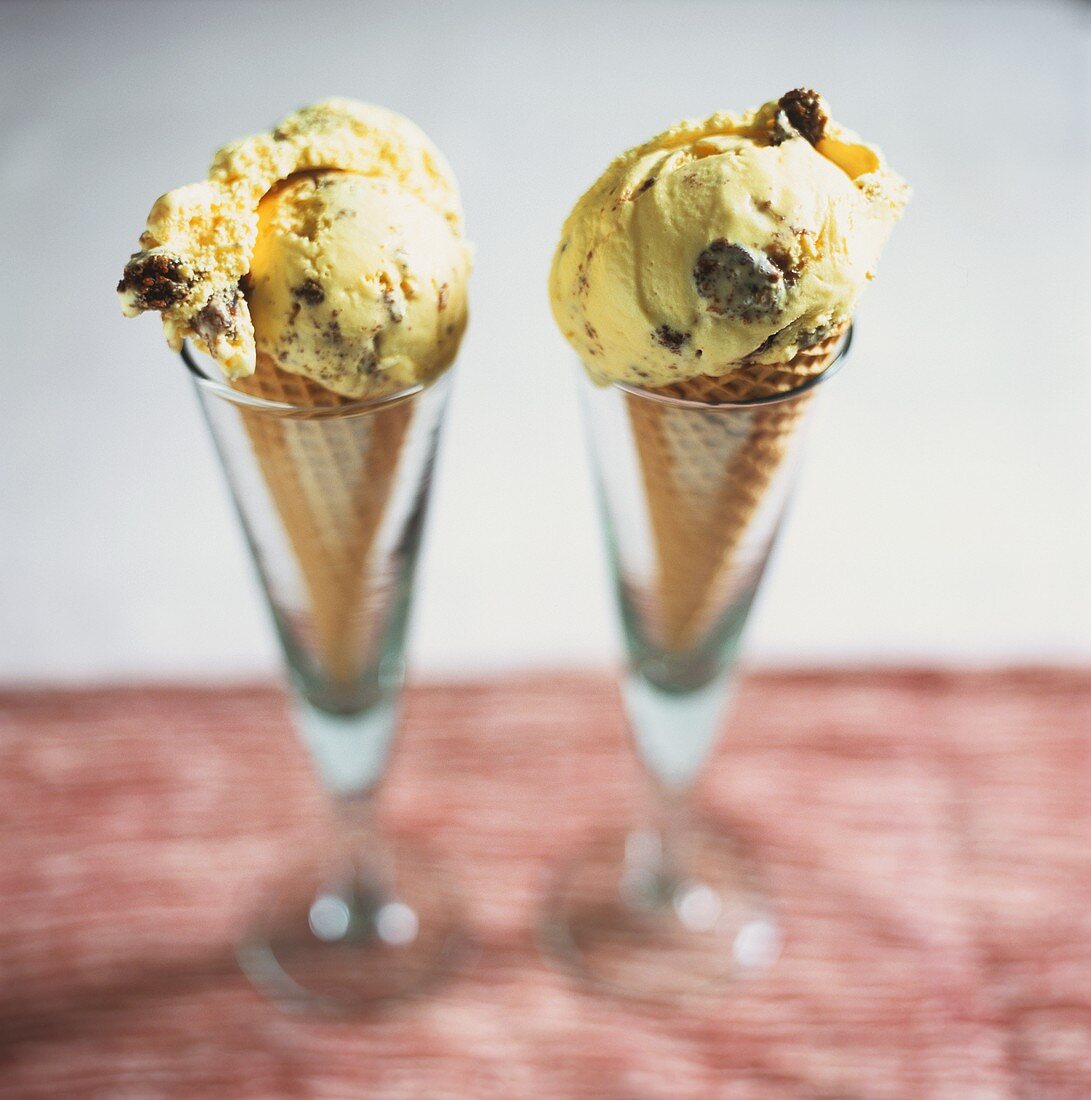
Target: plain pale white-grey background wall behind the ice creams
x,y
944,512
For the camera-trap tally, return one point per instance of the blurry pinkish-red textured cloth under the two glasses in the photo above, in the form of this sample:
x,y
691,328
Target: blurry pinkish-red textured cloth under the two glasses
x,y
927,837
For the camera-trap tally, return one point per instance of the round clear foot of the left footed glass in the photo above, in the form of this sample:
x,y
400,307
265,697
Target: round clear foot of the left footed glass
x,y
354,936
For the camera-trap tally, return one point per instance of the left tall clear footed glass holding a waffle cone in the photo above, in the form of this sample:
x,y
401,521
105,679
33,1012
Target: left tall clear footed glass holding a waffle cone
x,y
333,502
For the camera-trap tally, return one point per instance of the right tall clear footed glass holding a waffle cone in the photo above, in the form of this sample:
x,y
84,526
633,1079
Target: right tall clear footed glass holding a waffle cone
x,y
692,493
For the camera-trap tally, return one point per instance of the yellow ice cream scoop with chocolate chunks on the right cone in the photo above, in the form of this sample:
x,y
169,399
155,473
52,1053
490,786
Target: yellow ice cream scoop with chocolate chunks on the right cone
x,y
736,238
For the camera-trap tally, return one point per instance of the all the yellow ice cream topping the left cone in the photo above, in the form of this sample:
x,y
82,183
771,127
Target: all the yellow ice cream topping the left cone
x,y
334,244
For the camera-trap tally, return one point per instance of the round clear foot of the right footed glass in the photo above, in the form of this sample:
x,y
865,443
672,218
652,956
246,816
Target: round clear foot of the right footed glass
x,y
623,923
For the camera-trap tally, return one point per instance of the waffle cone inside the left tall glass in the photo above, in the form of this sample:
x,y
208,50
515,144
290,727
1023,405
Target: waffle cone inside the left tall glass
x,y
330,480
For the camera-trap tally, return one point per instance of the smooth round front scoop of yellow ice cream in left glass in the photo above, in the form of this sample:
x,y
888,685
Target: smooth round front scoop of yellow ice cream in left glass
x,y
357,283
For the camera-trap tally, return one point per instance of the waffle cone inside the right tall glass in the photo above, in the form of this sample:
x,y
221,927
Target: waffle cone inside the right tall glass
x,y
706,476
